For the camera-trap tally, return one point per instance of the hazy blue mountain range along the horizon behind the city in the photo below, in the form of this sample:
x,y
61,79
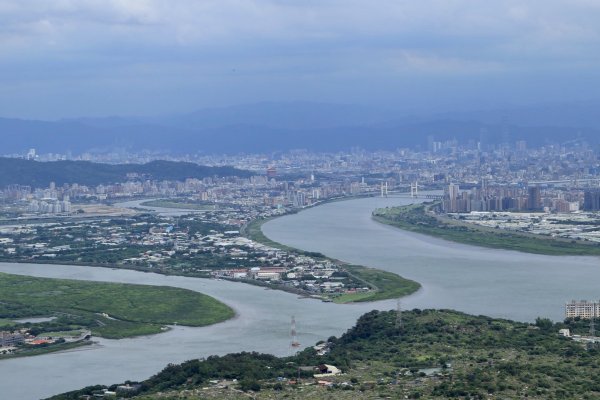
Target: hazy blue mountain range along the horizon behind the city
x,y
268,127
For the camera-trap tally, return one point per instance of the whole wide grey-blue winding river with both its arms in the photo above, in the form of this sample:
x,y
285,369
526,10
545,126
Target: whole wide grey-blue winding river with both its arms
x,y
471,279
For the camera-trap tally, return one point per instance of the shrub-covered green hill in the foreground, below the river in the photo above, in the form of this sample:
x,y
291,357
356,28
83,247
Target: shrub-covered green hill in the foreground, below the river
x,y
429,354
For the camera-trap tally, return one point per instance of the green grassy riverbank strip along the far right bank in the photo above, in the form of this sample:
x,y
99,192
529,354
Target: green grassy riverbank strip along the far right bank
x,y
419,218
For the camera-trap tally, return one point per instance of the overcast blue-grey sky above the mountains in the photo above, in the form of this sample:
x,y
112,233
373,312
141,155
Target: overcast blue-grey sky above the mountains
x,y
67,58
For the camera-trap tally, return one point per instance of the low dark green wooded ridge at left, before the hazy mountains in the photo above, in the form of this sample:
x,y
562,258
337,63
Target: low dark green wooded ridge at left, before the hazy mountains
x,y
40,174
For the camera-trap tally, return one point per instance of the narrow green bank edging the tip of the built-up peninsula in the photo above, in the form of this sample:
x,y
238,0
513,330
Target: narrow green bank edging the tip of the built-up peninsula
x,y
385,285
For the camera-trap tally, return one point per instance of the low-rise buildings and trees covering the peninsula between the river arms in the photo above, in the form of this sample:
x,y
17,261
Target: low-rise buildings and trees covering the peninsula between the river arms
x,y
203,243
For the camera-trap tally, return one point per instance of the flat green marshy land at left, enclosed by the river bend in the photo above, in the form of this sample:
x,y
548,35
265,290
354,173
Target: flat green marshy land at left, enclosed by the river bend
x,y
109,309
